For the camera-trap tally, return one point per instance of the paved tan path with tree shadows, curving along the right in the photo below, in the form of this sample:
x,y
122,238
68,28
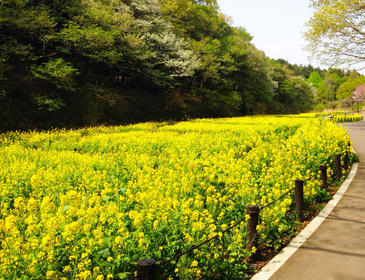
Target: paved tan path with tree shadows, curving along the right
x,y
337,249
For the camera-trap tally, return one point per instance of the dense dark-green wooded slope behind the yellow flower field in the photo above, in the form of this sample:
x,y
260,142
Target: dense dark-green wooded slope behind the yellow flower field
x,y
76,63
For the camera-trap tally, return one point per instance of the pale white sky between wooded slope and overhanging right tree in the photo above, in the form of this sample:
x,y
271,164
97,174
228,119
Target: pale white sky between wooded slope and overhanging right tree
x,y
277,26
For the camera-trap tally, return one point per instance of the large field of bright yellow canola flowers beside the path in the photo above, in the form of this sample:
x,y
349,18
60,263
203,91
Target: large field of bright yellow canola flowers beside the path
x,y
89,203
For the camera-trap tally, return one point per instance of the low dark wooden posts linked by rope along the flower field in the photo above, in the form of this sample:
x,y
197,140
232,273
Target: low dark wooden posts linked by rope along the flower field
x,y
146,267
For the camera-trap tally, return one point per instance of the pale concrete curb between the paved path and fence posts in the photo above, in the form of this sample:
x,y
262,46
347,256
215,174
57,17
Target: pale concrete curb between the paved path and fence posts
x,y
271,267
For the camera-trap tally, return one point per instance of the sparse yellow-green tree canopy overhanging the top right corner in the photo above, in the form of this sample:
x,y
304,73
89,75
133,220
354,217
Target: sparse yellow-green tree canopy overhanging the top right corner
x,y
336,31
